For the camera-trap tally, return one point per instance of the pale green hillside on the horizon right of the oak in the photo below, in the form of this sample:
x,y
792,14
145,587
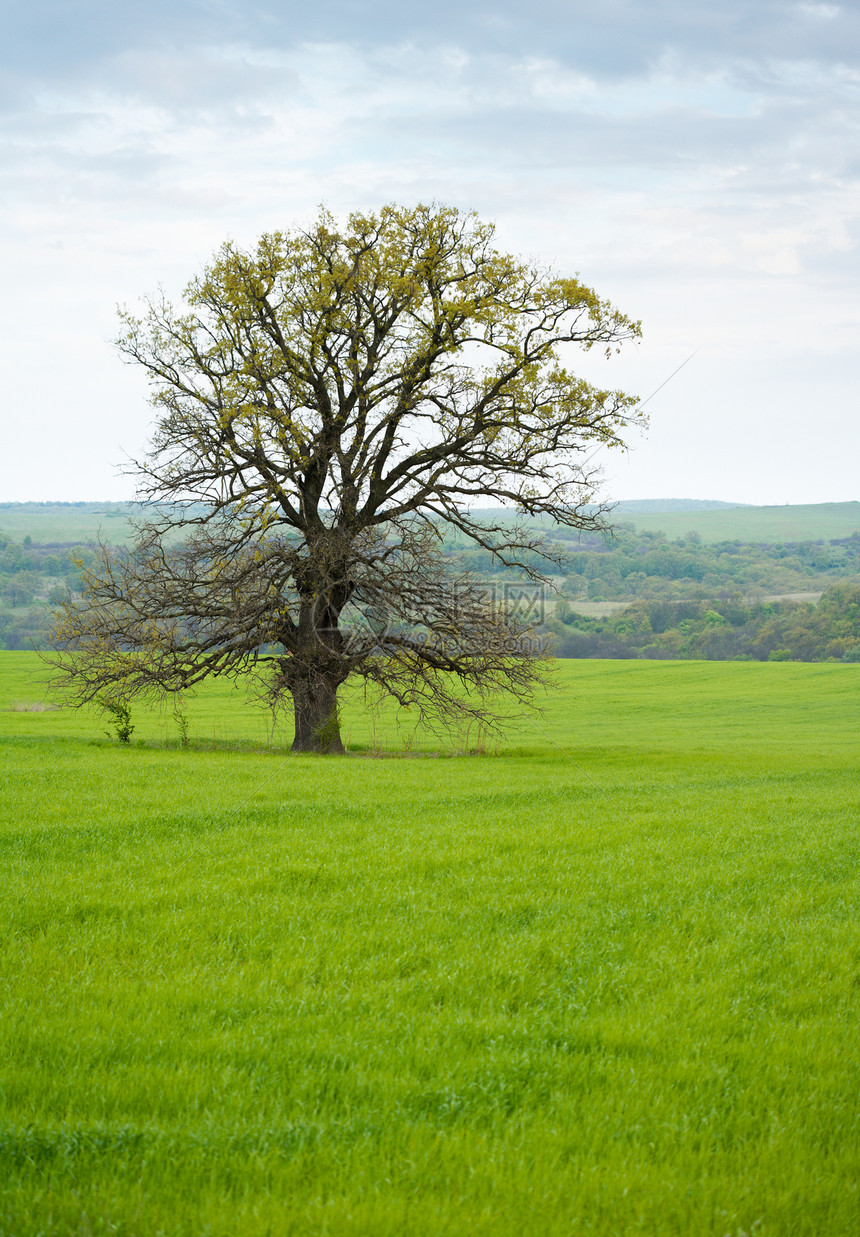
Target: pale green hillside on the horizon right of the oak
x,y
815,521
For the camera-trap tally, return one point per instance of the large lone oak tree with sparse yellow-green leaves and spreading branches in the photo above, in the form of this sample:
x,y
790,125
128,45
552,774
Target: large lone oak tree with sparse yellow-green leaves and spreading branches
x,y
331,406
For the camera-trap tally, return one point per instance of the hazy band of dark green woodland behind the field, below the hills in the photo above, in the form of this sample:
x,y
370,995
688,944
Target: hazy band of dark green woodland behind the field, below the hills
x,y
686,599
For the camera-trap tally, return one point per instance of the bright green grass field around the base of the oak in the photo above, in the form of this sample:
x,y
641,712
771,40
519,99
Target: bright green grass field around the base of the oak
x,y
606,980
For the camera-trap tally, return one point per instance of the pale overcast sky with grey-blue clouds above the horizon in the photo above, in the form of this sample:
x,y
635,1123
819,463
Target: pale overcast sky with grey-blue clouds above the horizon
x,y
697,163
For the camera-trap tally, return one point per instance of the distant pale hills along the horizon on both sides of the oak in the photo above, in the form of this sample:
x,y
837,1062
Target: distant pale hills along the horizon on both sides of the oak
x,y
80,523
